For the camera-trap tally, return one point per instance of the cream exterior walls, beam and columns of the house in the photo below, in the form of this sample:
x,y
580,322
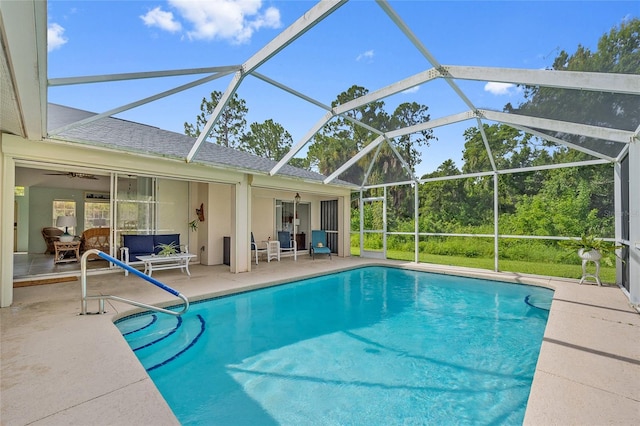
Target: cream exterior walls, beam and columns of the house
x,y
234,201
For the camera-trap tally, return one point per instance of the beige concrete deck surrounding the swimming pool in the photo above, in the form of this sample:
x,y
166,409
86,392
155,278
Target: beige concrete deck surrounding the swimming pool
x,y
57,367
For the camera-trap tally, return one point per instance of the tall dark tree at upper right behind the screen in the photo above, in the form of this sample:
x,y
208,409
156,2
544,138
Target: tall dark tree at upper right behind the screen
x,y
618,52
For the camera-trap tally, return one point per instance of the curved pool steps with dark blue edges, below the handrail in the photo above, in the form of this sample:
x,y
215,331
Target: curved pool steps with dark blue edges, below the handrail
x,y
165,338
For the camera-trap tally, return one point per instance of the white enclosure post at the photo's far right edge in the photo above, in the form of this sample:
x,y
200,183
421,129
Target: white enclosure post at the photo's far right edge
x,y
634,221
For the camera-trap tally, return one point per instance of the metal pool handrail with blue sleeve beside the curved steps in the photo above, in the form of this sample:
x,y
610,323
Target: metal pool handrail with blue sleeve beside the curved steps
x,y
134,271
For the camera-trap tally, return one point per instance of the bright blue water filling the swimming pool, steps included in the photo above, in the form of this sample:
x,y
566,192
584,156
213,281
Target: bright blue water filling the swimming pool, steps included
x,y
370,346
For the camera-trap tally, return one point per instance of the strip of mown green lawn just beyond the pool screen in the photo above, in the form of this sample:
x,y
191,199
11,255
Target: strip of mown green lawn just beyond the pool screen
x,y
607,274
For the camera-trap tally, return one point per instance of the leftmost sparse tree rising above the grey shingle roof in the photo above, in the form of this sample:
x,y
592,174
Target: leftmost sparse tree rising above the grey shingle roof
x,y
229,129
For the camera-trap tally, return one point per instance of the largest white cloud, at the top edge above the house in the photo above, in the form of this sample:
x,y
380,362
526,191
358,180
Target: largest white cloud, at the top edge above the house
x,y
234,20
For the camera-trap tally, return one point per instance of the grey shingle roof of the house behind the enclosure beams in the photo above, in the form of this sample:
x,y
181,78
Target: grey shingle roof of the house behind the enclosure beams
x,y
129,136
